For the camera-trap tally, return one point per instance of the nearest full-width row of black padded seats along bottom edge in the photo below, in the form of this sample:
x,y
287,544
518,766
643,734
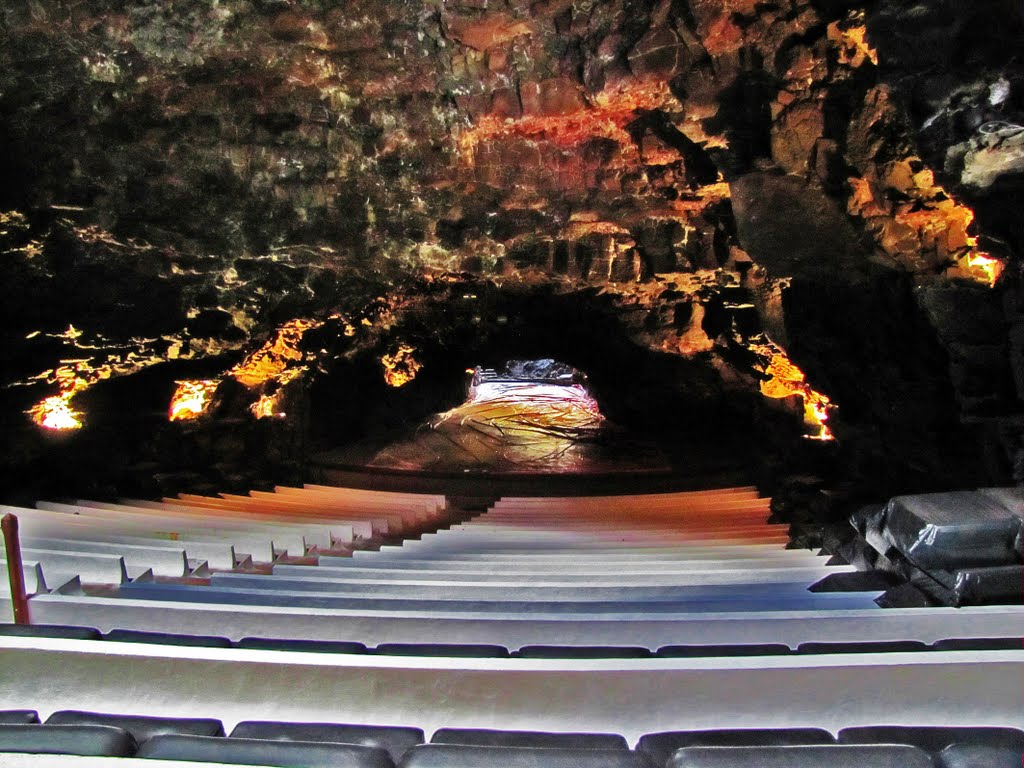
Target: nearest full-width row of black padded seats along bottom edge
x,y
312,745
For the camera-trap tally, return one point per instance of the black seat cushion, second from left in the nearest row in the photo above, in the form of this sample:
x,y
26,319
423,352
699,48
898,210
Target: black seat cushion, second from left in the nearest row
x,y
259,752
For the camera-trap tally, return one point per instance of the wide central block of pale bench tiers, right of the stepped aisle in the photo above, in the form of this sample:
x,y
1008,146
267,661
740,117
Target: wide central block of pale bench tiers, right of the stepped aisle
x,y
639,572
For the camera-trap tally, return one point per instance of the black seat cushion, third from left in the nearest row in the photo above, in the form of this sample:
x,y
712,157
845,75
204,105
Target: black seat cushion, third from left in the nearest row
x,y
459,756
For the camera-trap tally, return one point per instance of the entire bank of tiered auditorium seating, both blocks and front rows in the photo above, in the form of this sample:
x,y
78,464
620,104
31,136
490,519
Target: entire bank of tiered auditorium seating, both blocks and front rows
x,y
328,627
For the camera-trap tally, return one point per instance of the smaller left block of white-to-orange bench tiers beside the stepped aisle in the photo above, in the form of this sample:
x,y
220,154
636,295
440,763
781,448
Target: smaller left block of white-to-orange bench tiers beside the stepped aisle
x,y
110,544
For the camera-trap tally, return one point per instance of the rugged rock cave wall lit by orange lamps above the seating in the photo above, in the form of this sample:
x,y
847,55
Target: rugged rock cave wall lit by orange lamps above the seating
x,y
262,194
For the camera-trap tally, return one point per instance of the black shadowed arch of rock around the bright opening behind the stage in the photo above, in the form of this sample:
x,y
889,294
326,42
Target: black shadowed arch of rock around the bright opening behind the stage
x,y
663,402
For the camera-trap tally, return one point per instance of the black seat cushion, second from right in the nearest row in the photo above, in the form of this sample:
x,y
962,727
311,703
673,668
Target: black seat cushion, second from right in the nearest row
x,y
823,756
